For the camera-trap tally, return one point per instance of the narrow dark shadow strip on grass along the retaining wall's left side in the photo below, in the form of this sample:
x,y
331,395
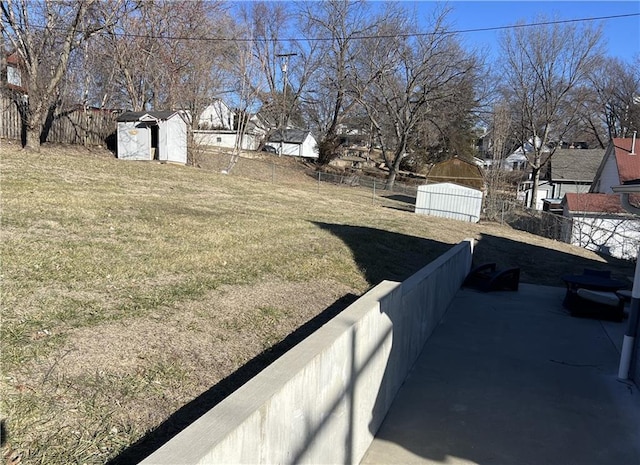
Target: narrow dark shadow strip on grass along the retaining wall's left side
x,y
187,414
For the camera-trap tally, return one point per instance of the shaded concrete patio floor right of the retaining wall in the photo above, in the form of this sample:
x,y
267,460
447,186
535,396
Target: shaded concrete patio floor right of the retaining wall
x,y
511,378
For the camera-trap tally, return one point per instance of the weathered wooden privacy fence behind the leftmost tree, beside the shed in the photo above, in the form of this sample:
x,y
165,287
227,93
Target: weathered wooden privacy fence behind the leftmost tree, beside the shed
x,y
79,126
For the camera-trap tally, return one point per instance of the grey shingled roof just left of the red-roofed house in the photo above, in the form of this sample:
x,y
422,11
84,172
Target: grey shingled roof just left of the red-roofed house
x,y
576,164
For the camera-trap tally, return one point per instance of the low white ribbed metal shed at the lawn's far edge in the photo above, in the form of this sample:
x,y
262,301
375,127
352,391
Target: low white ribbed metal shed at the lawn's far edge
x,y
449,200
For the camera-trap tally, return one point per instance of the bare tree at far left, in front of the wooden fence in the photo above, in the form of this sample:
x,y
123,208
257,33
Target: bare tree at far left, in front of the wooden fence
x,y
45,34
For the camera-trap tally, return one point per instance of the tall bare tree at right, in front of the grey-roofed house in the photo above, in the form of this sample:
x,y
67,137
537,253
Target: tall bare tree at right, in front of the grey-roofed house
x,y
543,66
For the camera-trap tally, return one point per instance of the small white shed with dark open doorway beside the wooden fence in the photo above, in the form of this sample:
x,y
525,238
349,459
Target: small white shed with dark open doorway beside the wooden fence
x,y
153,135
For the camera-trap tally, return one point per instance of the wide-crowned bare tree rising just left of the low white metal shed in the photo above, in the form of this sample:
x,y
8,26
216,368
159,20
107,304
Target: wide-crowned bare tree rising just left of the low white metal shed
x,y
403,80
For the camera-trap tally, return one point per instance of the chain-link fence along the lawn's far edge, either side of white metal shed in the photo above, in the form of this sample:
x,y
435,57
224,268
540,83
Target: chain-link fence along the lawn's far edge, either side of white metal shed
x,y
357,187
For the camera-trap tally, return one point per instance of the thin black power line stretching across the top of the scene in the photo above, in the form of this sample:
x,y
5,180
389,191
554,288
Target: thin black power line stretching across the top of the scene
x,y
383,36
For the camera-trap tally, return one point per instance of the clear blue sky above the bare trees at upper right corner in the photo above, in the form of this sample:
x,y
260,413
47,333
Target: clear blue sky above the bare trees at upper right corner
x,y
622,35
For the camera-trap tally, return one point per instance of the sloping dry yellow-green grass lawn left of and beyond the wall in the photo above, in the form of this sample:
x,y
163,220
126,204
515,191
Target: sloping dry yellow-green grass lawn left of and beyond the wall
x,y
129,289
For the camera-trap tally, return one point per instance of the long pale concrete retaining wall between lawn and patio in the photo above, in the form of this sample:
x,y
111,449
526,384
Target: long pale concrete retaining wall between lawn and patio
x,y
324,400
